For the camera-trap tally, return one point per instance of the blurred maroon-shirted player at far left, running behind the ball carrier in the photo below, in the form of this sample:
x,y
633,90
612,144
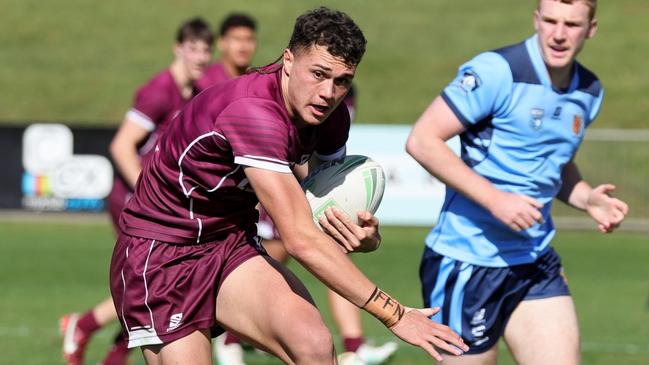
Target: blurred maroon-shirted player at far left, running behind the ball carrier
x,y
155,105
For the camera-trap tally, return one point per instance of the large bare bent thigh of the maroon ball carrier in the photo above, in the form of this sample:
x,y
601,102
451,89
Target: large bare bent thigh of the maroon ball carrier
x,y
262,301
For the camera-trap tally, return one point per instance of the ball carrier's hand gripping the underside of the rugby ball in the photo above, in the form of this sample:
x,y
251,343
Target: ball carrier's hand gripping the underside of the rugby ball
x,y
352,237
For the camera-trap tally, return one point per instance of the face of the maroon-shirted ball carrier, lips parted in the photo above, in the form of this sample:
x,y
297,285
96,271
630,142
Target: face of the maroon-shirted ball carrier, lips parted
x,y
315,83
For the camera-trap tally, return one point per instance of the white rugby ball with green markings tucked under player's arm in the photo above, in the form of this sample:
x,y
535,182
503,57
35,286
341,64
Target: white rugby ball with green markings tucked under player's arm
x,y
352,184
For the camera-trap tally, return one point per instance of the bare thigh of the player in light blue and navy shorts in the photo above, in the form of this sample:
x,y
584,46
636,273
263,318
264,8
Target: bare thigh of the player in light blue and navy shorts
x,y
544,331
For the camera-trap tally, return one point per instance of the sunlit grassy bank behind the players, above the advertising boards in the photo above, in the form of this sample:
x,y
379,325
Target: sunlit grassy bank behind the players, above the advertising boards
x,y
81,61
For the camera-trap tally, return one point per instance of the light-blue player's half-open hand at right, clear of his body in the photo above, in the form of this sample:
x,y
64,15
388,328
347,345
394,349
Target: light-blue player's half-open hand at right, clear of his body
x,y
606,210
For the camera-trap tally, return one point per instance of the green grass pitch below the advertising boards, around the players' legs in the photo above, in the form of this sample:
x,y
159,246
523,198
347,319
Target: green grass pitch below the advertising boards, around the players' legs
x,y
47,269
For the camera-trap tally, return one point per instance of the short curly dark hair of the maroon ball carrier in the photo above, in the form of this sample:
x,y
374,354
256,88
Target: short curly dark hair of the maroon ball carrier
x,y
332,29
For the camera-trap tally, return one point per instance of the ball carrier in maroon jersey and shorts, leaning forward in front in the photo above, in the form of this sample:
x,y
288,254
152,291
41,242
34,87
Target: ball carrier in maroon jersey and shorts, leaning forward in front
x,y
188,234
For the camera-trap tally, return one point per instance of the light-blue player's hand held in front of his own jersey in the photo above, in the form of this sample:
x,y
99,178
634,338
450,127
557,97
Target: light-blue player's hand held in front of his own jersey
x,y
518,212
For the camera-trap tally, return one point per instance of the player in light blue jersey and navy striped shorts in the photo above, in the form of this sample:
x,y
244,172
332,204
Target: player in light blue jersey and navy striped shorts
x,y
521,112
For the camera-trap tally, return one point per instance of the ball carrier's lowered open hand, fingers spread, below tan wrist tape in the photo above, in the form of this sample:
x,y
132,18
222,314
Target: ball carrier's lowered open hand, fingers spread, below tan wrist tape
x,y
417,329
